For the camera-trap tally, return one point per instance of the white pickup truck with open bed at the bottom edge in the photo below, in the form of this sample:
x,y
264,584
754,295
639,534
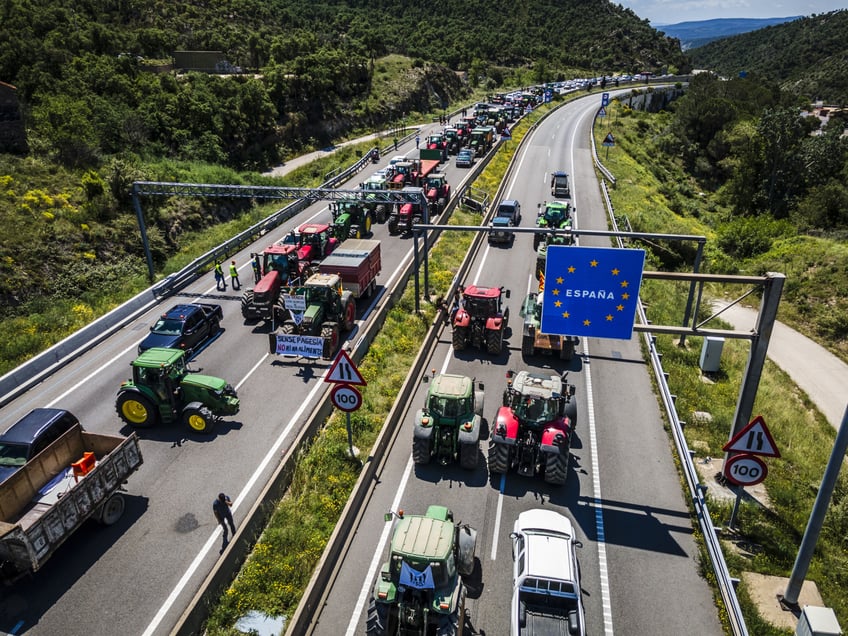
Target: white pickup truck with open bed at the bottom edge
x,y
546,597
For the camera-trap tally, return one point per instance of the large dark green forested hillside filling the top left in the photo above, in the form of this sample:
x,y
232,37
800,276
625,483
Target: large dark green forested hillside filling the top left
x,y
80,68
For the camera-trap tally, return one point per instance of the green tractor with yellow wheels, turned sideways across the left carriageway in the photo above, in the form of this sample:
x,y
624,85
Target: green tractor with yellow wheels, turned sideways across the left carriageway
x,y
163,390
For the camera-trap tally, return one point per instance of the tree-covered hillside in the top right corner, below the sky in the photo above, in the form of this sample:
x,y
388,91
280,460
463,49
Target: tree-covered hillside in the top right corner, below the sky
x,y
807,57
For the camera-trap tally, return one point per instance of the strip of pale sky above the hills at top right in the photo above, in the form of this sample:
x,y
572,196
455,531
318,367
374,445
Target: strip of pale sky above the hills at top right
x,y
674,11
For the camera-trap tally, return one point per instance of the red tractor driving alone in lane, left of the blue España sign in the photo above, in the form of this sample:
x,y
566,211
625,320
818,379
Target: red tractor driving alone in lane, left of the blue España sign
x,y
479,318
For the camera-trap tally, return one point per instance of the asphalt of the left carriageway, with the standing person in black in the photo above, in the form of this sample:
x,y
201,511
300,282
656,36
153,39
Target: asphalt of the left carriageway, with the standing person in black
x,y
142,572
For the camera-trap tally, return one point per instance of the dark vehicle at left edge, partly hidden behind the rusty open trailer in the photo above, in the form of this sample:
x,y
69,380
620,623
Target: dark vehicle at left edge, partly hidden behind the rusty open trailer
x,y
30,435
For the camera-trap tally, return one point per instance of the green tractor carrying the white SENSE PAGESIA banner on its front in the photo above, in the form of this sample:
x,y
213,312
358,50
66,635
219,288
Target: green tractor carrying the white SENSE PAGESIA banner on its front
x,y
320,307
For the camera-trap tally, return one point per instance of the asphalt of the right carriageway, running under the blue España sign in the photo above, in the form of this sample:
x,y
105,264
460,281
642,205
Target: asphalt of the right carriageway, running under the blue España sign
x,y
639,560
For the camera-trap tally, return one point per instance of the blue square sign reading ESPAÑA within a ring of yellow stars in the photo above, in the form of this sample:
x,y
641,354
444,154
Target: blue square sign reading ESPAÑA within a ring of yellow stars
x,y
591,291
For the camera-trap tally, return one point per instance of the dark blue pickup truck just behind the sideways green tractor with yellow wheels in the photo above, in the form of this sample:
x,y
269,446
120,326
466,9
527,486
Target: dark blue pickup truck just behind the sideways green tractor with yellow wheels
x,y
185,326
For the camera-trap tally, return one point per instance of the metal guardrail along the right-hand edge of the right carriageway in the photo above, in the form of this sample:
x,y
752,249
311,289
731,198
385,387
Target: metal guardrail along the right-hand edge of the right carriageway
x,y
697,490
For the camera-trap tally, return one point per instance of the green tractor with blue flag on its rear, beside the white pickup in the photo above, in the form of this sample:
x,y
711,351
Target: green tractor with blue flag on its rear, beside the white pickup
x,y
420,588
